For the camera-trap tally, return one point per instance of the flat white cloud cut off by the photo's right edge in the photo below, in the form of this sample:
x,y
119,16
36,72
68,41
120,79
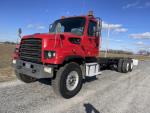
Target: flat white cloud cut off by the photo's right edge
x,y
145,35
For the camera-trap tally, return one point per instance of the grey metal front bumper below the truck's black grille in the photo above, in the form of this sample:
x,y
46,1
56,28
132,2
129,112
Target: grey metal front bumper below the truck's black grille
x,y
33,70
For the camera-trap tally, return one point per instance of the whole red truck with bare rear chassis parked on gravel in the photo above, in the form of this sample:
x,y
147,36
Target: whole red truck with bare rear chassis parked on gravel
x,y
67,54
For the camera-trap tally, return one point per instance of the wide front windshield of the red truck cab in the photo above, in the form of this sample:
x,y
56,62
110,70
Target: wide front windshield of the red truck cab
x,y
72,25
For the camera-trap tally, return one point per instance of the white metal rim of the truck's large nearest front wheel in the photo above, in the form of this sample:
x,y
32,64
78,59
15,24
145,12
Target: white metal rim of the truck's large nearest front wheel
x,y
72,80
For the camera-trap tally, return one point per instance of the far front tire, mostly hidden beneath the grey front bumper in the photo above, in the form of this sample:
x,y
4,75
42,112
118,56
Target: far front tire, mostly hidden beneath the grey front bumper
x,y
25,78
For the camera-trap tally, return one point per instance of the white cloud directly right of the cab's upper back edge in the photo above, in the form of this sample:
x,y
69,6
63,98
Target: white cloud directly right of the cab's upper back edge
x,y
115,27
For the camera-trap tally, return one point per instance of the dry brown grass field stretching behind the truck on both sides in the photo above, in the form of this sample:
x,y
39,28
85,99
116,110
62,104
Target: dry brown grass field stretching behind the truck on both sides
x,y
7,72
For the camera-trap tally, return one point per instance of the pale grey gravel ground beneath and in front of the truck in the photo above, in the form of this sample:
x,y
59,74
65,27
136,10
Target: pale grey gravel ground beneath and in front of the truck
x,y
111,92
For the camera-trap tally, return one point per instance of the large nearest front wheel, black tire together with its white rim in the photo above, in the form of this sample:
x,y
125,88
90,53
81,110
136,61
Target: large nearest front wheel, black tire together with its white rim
x,y
60,83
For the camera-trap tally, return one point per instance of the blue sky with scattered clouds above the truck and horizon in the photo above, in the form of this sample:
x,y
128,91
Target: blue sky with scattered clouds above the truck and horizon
x,y
128,20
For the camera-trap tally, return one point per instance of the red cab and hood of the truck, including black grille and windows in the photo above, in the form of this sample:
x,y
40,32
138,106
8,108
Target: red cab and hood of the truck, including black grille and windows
x,y
67,38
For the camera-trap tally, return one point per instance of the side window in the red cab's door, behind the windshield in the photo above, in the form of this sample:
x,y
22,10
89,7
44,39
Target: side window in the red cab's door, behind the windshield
x,y
92,26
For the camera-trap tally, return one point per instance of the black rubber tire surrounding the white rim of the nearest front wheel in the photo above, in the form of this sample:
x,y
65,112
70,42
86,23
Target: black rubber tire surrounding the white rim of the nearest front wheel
x,y
59,85
